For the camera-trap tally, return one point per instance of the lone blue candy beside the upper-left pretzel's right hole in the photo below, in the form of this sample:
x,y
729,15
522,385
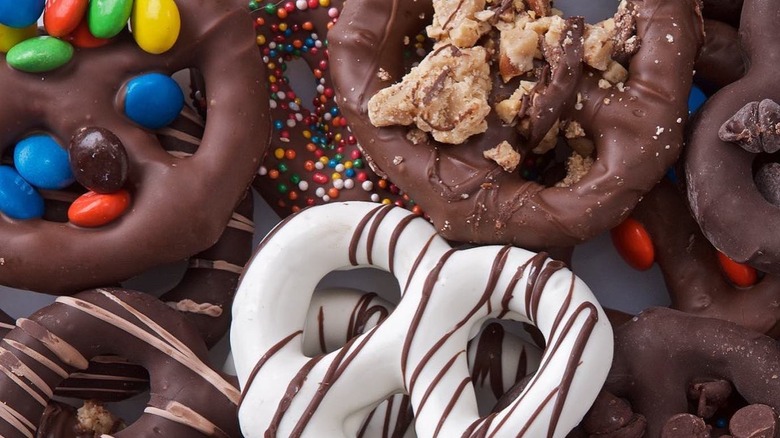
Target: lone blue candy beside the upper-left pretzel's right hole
x,y
153,100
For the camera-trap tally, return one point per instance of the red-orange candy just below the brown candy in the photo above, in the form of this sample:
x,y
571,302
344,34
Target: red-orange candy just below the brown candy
x,y
97,209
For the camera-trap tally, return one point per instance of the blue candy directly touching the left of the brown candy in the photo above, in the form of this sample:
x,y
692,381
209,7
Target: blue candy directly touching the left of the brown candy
x,y
43,163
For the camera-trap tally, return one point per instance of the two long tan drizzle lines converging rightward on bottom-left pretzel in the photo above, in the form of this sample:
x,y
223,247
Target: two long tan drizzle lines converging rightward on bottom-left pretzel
x,y
179,352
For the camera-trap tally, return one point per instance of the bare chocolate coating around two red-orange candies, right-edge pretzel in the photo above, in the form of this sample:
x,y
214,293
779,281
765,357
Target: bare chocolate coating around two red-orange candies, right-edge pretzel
x,y
691,269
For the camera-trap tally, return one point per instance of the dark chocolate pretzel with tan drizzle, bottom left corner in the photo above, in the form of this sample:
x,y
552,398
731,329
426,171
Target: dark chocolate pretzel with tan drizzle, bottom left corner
x,y
188,398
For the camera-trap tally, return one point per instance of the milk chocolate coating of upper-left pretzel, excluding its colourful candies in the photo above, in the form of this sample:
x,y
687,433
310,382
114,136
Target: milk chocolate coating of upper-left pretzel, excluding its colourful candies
x,y
179,205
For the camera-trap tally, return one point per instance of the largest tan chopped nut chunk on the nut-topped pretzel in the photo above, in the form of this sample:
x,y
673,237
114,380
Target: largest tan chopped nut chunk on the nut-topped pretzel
x,y
445,95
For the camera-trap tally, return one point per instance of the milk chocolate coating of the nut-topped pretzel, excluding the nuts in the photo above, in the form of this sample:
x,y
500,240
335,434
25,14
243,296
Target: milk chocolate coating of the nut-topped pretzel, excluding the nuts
x,y
637,129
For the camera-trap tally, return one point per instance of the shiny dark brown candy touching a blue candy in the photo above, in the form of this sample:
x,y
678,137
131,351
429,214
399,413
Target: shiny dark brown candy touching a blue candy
x,y
98,160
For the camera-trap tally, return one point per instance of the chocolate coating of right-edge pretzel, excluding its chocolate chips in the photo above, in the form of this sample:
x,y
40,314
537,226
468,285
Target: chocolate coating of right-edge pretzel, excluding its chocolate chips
x,y
719,175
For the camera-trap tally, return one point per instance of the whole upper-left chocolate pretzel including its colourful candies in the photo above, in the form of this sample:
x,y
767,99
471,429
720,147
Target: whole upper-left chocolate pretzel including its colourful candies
x,y
104,100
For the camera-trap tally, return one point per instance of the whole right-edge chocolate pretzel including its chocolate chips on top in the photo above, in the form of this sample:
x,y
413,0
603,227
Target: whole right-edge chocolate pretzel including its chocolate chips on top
x,y
728,160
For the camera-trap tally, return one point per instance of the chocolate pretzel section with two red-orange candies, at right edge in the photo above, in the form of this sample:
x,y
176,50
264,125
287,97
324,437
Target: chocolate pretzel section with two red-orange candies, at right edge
x,y
700,280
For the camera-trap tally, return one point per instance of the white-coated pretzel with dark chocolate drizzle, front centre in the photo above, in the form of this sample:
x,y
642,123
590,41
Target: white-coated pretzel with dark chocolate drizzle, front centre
x,y
419,349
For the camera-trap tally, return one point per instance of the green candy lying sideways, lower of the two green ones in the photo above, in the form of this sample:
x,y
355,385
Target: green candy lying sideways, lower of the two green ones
x,y
39,54
